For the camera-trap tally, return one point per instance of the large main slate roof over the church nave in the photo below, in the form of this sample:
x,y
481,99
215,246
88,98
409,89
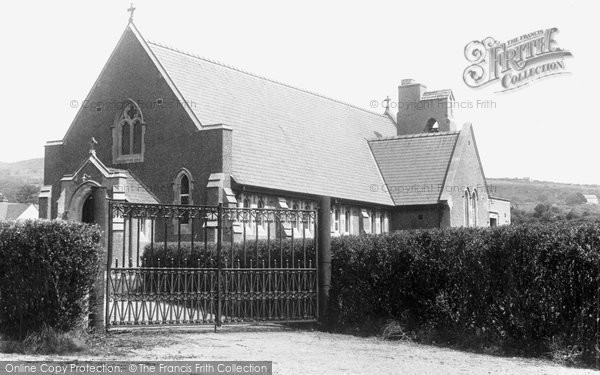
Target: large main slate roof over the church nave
x,y
284,138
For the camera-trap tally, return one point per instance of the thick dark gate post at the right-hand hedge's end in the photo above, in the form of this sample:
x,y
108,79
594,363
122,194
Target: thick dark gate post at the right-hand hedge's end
x,y
324,254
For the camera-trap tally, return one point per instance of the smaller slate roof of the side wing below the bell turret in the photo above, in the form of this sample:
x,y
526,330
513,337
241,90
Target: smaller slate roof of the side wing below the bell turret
x,y
415,166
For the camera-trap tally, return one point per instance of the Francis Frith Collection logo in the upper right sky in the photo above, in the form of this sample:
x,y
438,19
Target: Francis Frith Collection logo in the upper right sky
x,y
515,63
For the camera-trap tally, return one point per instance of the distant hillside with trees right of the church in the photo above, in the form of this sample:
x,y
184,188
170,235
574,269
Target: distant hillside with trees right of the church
x,y
525,194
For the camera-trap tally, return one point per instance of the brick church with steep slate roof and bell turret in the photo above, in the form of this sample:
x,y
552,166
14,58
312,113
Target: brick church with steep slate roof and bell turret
x,y
163,126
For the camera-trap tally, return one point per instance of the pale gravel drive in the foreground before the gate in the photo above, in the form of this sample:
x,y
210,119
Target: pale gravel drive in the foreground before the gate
x,y
304,352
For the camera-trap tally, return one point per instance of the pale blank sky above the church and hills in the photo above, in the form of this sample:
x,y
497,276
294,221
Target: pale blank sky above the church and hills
x,y
354,52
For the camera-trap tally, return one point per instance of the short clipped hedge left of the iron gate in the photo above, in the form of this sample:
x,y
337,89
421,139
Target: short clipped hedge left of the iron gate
x,y
47,269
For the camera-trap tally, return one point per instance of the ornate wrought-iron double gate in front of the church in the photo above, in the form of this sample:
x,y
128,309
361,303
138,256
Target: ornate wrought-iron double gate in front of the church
x,y
186,265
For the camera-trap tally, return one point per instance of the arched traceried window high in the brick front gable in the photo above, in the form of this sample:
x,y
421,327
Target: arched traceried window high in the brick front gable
x,y
128,135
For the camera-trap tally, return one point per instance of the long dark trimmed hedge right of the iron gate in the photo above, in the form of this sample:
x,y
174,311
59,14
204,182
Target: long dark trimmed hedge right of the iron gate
x,y
515,286
